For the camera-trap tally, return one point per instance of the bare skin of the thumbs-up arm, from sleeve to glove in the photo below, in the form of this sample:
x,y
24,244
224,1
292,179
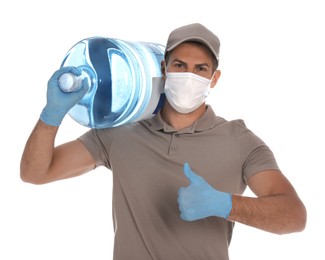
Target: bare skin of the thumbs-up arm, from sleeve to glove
x,y
276,209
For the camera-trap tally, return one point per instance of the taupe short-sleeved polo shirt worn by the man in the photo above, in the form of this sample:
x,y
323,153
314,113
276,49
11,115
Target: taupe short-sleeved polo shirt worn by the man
x,y
147,158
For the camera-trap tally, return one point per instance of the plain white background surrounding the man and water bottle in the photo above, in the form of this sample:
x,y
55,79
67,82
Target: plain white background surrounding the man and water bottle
x,y
272,63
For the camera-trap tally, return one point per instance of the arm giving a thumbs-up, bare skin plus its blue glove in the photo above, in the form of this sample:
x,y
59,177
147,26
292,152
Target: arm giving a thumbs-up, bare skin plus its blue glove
x,y
276,209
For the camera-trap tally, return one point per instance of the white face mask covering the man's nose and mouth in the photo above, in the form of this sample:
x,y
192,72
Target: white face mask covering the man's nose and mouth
x,y
186,91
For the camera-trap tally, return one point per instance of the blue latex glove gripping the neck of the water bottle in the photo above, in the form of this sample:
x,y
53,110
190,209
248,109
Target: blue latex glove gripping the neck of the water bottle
x,y
58,102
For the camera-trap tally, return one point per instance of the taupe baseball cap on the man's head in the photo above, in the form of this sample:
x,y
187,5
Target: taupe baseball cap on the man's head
x,y
194,32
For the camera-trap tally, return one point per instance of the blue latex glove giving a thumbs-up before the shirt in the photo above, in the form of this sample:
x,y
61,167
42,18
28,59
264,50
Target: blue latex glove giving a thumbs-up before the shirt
x,y
200,200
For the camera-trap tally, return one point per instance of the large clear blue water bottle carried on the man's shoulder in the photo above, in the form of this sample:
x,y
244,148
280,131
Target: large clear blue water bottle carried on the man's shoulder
x,y
124,77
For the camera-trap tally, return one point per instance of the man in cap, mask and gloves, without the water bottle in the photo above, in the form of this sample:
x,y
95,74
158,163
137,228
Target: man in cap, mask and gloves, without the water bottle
x,y
179,177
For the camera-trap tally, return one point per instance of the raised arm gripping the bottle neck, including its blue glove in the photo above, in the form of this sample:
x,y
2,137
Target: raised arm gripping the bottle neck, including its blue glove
x,y
41,162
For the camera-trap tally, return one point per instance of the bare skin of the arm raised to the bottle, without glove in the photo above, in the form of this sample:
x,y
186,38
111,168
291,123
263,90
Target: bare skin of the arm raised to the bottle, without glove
x,y
41,162
